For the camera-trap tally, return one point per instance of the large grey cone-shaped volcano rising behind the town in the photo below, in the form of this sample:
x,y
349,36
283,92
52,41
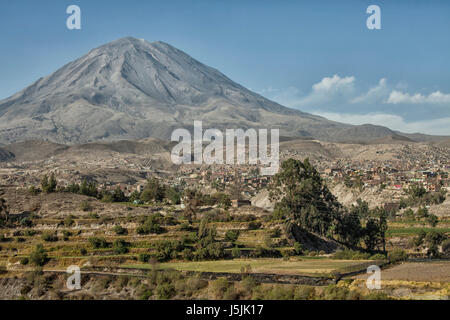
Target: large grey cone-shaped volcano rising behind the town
x,y
131,89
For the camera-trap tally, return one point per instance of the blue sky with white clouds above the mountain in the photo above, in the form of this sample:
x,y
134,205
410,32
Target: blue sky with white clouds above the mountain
x,y
317,56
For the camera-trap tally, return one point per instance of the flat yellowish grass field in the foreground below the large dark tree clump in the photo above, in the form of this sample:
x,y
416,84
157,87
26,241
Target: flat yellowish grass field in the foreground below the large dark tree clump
x,y
295,266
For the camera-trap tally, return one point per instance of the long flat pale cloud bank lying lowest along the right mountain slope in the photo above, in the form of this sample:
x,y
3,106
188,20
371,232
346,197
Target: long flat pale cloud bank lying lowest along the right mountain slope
x,y
434,126
